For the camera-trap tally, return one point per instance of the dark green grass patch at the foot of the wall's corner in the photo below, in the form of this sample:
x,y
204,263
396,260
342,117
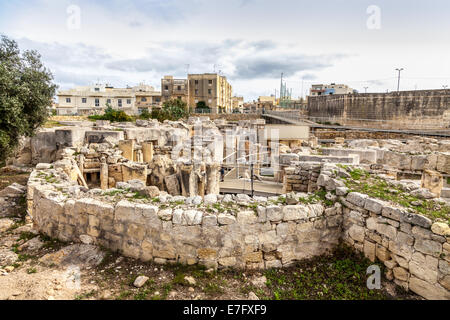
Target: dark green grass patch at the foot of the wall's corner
x,y
341,276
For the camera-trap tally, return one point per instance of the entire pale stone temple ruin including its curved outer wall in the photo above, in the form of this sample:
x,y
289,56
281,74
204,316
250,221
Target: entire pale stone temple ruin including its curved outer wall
x,y
120,187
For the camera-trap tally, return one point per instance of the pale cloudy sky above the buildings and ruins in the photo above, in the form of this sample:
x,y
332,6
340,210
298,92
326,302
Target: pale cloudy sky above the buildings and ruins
x,y
252,42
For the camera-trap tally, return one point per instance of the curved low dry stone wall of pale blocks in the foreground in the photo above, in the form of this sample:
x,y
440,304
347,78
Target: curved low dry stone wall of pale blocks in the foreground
x,y
265,233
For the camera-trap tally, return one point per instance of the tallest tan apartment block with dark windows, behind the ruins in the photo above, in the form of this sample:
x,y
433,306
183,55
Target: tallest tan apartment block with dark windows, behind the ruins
x,y
211,88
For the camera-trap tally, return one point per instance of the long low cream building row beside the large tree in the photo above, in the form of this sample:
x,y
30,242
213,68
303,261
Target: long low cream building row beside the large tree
x,y
88,100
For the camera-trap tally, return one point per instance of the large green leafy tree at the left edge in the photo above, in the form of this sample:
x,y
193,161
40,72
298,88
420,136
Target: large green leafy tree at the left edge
x,y
26,92
